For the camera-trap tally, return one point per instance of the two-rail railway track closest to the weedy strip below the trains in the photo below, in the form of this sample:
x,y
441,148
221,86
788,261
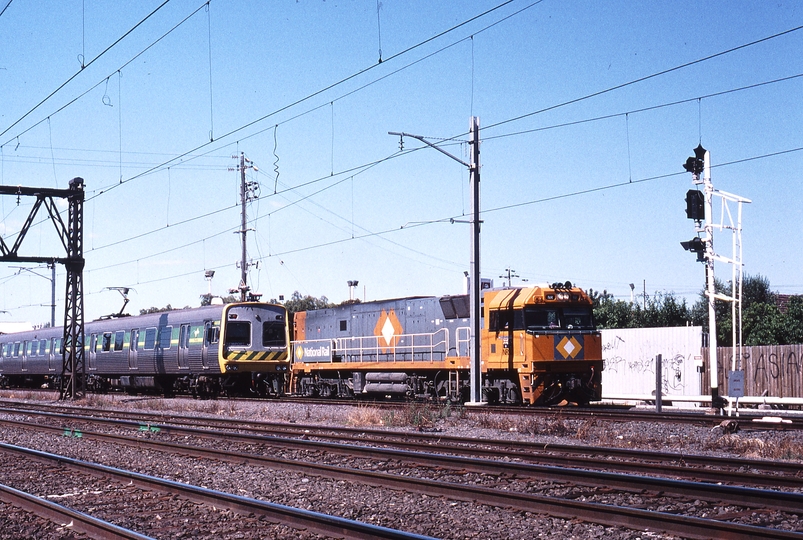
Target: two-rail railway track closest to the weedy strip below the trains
x,y
734,471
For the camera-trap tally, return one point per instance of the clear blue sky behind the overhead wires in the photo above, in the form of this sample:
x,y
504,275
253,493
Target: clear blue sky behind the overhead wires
x,y
587,112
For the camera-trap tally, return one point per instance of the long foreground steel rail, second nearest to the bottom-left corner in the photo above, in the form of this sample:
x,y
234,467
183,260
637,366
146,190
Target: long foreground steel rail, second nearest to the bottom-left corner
x,y
295,517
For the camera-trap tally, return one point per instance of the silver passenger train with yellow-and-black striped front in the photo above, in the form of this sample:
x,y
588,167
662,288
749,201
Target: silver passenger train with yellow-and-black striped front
x,y
233,348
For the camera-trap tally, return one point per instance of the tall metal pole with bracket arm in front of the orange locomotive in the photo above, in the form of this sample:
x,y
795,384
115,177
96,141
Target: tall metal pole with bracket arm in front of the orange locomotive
x,y
475,348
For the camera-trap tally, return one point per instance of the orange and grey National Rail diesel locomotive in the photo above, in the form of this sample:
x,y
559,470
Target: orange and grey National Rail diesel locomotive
x,y
539,346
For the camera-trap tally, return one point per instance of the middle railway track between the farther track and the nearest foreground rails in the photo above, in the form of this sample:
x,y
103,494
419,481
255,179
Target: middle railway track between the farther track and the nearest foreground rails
x,y
753,500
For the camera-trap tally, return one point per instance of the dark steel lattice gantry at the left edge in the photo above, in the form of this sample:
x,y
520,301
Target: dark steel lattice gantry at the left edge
x,y
73,373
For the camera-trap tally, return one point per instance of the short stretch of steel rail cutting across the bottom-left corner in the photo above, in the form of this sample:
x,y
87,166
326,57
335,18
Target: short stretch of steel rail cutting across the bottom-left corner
x,y
58,514
